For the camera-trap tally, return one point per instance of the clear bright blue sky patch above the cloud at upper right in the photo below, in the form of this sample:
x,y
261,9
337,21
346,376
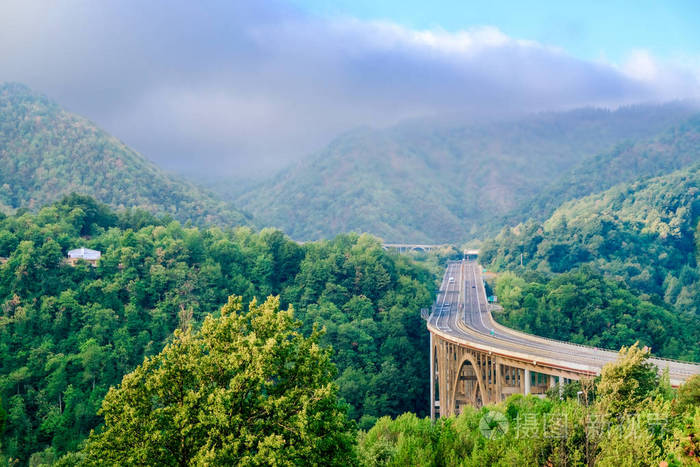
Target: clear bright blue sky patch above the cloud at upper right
x,y
588,30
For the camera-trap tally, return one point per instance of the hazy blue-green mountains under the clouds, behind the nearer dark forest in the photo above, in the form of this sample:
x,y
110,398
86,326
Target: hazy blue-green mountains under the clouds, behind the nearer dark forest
x,y
420,181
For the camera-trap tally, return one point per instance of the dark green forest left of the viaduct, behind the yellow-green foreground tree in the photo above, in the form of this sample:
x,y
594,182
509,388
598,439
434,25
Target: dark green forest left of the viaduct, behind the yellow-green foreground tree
x,y
69,333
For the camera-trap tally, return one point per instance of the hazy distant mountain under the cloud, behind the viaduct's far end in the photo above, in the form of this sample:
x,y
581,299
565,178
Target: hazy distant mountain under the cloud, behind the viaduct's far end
x,y
434,182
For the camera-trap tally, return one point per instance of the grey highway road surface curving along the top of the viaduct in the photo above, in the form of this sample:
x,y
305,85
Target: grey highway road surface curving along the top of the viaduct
x,y
461,314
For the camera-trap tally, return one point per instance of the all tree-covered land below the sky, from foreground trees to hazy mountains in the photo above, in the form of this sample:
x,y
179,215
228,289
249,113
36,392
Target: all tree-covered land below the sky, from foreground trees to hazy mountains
x,y
196,339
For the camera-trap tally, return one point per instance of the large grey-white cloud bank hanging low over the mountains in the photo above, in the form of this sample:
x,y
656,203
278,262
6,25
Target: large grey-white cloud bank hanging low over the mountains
x,y
238,85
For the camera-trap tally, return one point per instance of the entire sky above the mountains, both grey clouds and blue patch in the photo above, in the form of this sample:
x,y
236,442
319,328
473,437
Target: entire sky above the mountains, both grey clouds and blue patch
x,y
237,89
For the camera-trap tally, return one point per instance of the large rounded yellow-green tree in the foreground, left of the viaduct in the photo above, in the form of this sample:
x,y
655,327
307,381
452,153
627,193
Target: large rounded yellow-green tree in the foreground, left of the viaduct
x,y
247,389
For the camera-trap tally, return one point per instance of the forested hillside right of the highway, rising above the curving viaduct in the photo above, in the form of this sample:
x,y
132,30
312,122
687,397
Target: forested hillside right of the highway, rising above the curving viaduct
x,y
578,266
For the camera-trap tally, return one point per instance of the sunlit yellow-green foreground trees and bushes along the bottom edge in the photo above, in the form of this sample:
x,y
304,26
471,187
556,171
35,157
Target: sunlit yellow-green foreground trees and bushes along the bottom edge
x,y
249,389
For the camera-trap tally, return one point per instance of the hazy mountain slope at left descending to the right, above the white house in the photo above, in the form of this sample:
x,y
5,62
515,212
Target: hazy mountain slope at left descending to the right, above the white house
x,y
47,152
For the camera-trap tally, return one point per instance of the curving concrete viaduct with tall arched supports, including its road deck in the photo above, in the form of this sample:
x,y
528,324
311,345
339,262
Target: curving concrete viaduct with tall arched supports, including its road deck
x,y
476,361
